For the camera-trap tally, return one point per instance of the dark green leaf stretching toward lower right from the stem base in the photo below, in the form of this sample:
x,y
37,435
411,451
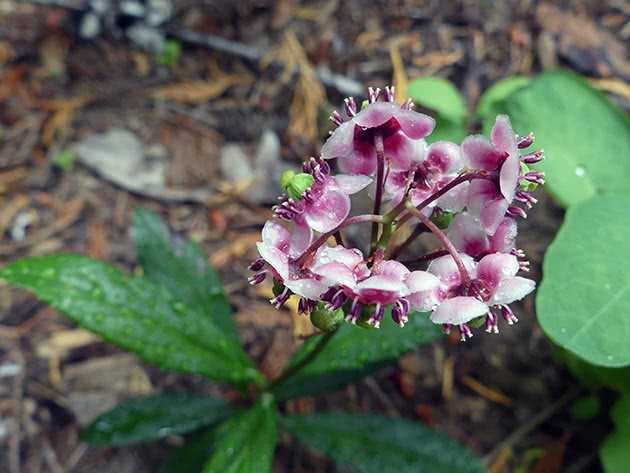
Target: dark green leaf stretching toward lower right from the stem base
x,y
376,444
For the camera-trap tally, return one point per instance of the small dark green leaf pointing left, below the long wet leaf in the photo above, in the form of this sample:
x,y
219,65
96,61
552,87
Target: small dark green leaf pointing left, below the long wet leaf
x,y
155,417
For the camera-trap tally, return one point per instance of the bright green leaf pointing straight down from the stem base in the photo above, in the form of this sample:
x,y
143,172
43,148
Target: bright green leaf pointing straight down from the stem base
x,y
246,442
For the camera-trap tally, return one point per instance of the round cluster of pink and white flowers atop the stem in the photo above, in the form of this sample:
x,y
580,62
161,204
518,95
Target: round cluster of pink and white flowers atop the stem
x,y
477,185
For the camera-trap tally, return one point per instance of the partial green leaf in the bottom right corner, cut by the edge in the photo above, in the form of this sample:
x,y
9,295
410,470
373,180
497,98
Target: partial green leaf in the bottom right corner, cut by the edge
x,y
614,452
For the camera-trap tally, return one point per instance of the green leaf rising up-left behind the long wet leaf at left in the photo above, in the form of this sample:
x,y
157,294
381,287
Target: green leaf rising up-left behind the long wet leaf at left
x,y
181,267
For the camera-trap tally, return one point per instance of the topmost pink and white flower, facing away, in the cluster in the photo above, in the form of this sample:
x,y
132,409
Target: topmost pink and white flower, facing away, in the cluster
x,y
402,129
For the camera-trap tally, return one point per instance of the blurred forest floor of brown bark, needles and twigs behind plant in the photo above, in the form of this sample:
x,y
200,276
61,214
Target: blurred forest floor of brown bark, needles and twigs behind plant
x,y
193,109
